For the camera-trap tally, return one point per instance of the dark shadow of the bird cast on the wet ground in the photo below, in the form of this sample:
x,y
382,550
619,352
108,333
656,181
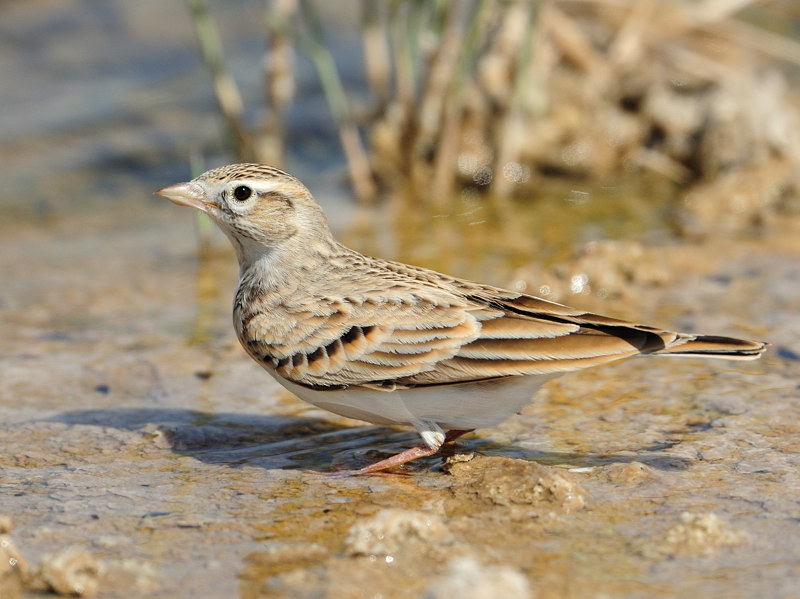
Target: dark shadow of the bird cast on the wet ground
x,y
286,442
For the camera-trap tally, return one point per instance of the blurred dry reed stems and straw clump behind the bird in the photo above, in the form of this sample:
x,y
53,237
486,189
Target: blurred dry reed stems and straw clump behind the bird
x,y
498,95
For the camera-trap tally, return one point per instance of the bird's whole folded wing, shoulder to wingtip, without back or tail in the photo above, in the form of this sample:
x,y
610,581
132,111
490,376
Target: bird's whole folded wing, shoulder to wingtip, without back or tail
x,y
420,335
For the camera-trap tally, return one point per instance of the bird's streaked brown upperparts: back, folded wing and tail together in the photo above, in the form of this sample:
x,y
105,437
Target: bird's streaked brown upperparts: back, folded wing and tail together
x,y
380,324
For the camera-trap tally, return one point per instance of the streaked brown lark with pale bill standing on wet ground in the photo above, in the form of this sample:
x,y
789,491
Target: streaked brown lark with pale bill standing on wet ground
x,y
394,344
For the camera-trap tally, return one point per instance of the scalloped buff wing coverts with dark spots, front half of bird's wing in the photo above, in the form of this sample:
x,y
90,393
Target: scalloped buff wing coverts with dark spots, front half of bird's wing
x,y
364,338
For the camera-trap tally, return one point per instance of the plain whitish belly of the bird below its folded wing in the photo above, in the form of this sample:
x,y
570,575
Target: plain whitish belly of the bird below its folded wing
x,y
457,406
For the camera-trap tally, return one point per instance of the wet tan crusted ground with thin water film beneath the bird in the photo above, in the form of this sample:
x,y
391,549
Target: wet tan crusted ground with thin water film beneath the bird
x,y
179,466
